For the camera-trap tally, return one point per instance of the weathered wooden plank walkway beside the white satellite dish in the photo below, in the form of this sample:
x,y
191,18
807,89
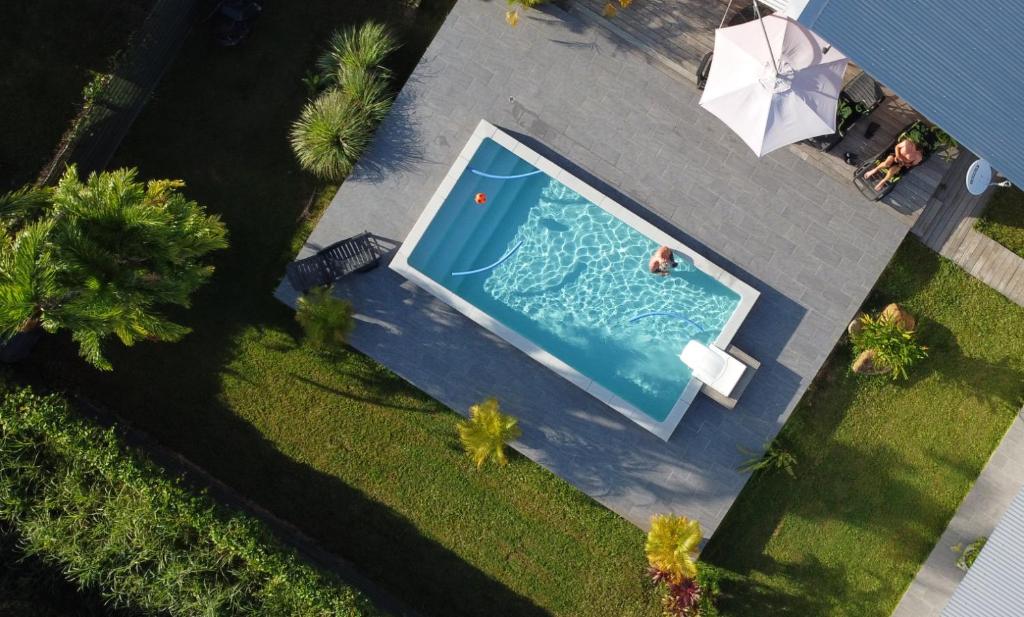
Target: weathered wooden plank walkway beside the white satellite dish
x,y
948,228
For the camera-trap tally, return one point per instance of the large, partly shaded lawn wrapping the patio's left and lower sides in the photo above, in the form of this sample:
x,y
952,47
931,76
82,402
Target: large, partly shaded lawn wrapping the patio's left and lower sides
x,y
345,450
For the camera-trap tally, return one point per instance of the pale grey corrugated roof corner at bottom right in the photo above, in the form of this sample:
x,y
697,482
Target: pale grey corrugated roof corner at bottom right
x,y
995,585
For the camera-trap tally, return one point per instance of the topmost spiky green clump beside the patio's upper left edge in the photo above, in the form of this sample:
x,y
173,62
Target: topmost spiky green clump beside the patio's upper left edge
x,y
357,52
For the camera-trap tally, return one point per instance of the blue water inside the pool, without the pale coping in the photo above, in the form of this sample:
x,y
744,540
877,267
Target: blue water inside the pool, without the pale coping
x,y
574,280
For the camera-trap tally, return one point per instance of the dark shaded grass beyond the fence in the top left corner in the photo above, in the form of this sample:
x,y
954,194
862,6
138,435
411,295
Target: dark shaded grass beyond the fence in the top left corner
x,y
49,49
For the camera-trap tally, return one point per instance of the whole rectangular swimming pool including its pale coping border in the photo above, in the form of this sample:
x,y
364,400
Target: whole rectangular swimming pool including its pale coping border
x,y
561,272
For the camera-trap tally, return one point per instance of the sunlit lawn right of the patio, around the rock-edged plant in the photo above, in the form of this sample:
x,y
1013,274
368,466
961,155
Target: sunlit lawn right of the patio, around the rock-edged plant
x,y
883,465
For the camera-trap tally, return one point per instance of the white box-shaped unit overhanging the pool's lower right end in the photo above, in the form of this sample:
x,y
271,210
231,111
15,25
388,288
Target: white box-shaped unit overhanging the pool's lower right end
x,y
724,374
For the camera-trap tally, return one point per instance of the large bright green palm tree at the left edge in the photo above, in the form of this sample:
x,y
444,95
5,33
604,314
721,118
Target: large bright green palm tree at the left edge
x,y
100,258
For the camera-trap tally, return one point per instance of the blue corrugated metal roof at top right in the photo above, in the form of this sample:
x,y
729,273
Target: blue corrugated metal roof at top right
x,y
960,63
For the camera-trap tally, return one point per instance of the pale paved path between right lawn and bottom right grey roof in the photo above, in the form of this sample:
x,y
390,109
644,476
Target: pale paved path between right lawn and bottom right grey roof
x,y
995,490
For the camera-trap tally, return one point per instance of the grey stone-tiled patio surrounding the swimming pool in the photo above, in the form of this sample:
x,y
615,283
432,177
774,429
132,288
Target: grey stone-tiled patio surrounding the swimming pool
x,y
616,118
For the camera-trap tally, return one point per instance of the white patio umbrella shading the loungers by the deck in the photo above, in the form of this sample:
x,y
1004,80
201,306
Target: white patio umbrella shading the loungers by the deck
x,y
774,82
